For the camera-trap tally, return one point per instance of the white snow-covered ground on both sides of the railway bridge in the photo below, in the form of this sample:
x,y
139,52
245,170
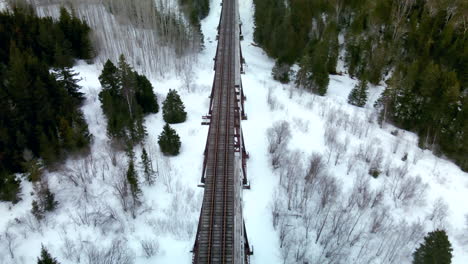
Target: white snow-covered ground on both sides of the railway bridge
x,y
90,215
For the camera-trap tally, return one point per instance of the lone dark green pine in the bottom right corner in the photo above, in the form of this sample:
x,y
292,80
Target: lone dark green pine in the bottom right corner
x,y
435,249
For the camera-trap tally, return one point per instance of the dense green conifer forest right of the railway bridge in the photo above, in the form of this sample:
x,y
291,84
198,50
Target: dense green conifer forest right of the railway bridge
x,y
418,47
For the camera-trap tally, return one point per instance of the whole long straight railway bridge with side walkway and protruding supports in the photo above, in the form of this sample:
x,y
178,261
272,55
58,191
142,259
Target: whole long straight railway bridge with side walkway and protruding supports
x,y
221,235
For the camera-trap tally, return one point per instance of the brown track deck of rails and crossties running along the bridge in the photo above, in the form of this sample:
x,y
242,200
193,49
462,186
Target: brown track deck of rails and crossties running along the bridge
x,y
216,239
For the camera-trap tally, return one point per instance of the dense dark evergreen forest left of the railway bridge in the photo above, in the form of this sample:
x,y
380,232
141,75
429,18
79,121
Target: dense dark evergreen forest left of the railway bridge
x,y
40,116
